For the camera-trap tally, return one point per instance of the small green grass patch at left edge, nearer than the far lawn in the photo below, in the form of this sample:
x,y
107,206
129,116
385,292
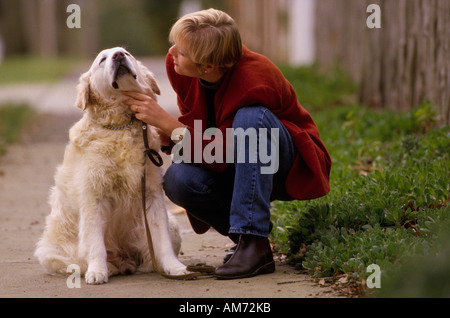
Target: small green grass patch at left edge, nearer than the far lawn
x,y
12,118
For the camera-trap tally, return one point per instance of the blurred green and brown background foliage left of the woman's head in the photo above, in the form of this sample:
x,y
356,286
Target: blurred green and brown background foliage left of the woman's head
x,y
38,27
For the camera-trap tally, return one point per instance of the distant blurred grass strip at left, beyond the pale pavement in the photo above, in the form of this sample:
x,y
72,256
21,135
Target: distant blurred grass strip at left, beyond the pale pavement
x,y
27,69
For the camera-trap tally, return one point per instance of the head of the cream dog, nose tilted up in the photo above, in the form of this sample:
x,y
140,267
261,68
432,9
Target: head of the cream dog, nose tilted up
x,y
113,71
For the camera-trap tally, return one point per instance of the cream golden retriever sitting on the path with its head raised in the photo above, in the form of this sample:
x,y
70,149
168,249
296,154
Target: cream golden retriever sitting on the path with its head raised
x,y
96,218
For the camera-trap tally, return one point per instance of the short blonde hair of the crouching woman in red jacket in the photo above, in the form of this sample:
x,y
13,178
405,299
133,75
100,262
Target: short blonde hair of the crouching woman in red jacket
x,y
210,36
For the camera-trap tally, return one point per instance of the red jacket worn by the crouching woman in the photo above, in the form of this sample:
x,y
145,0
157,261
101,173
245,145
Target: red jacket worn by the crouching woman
x,y
255,80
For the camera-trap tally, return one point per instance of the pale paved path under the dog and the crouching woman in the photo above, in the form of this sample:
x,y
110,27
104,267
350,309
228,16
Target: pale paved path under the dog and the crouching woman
x,y
26,174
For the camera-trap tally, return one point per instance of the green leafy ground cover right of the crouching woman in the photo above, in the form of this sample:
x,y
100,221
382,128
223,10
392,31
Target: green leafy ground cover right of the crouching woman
x,y
389,198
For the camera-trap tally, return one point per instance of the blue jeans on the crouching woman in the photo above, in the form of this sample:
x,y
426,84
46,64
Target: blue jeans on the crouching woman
x,y
237,201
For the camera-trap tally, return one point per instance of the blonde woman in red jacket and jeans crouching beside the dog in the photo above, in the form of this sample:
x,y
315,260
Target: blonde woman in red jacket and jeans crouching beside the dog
x,y
220,83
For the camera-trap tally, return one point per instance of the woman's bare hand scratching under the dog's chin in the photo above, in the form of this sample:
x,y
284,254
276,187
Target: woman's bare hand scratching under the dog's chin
x,y
149,111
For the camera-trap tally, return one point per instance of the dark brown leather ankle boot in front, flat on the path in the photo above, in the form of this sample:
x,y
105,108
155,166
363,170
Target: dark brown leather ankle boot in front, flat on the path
x,y
252,257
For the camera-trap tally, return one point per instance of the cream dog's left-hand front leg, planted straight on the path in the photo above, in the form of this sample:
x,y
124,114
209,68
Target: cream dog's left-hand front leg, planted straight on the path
x,y
92,244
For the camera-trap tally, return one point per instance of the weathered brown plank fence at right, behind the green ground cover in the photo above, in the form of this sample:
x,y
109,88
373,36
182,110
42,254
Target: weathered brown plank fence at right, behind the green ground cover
x,y
397,66
